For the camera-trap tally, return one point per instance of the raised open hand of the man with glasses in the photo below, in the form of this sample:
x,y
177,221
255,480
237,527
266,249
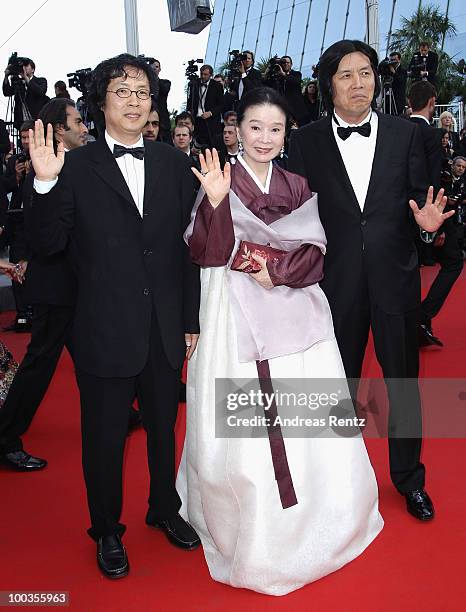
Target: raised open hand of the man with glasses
x,y
47,164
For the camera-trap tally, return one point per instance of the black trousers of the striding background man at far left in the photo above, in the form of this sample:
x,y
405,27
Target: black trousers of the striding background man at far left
x,y
50,331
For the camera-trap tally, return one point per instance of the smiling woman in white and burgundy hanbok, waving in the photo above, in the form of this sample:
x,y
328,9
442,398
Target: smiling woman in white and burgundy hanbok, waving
x,y
273,513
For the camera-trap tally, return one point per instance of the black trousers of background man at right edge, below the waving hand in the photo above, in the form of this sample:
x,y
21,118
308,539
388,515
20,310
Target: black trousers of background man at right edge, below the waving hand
x,y
450,257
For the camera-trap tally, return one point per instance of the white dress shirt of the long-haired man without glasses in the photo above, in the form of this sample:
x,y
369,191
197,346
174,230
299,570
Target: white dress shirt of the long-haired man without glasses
x,y
357,153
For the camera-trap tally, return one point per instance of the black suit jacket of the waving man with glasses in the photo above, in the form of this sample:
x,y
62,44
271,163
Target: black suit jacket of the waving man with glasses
x,y
127,265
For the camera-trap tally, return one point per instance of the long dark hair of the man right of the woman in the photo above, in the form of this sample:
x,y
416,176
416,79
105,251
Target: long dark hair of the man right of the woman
x,y
330,60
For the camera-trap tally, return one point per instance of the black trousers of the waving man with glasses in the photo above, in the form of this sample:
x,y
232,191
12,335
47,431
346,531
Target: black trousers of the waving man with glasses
x,y
104,424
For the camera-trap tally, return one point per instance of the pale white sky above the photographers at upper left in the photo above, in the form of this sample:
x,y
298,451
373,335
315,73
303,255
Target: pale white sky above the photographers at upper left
x,y
65,36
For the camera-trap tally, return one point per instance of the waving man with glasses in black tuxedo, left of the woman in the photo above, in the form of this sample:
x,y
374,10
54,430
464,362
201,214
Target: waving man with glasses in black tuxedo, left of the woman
x,y
121,205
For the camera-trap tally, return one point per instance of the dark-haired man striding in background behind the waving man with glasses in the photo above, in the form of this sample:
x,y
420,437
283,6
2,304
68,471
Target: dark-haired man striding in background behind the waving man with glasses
x,y
50,287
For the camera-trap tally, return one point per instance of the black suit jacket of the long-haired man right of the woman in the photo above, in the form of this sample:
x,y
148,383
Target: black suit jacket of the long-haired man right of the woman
x,y
376,246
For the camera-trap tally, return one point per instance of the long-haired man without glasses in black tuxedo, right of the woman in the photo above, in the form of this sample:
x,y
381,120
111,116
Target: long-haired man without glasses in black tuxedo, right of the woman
x,y
368,170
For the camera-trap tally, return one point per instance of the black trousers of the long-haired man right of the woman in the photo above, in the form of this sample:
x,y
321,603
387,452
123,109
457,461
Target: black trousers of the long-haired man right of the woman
x,y
396,348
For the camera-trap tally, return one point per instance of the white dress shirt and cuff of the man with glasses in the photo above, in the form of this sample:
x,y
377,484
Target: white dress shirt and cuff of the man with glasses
x,y
131,168
